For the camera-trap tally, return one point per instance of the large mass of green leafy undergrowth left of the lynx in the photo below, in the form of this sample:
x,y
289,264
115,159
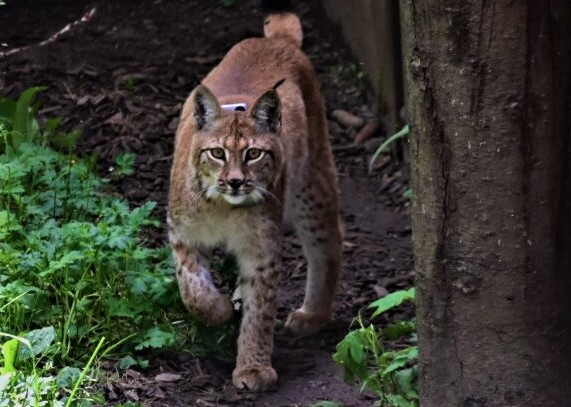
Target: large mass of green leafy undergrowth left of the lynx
x,y
78,282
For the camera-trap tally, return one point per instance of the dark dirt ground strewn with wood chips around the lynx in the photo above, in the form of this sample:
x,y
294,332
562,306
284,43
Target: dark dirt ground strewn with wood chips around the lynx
x,y
121,76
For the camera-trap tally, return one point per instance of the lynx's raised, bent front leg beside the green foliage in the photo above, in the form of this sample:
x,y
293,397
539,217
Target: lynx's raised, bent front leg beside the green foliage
x,y
197,291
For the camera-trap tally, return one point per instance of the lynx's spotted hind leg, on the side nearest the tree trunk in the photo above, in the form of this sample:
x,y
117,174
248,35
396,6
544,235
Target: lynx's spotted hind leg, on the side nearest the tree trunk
x,y
319,228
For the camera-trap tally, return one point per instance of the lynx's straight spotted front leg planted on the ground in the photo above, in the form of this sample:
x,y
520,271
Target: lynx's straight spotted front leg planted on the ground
x,y
254,369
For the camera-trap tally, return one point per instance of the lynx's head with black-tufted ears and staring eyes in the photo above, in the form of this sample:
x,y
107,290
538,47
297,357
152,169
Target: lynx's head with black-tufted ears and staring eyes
x,y
236,156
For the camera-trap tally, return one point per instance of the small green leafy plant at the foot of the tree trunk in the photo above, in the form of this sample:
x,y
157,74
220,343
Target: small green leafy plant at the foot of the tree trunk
x,y
392,374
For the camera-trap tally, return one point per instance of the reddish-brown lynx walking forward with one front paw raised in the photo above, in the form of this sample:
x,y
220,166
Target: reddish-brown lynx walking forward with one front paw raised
x,y
252,152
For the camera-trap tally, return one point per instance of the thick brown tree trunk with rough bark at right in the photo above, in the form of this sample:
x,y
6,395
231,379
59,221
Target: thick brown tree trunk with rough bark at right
x,y
489,85
